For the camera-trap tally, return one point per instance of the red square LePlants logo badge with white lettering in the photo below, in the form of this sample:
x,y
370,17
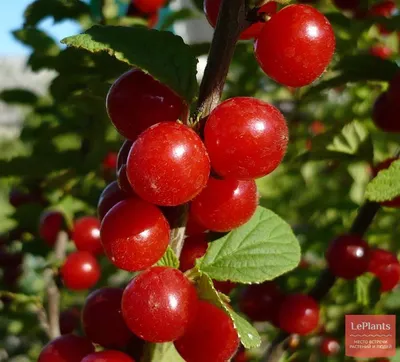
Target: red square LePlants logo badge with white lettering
x,y
369,336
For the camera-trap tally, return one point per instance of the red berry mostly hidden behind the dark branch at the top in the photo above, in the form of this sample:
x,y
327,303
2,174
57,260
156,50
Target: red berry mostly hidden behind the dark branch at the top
x,y
211,9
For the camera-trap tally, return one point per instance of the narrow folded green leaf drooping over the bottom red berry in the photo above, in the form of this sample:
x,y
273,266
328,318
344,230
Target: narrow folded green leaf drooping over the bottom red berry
x,y
247,333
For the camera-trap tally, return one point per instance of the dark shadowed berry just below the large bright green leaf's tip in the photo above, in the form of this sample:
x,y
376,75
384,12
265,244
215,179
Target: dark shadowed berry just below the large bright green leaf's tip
x,y
261,302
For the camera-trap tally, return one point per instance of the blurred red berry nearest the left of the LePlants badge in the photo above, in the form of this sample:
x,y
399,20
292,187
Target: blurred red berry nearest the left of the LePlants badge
x,y
298,313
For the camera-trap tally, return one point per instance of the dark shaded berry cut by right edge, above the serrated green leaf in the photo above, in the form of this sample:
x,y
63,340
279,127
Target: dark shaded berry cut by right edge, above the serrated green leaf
x,y
384,113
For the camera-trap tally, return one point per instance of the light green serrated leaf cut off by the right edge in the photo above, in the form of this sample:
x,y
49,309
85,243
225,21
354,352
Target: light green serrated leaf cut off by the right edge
x,y
386,185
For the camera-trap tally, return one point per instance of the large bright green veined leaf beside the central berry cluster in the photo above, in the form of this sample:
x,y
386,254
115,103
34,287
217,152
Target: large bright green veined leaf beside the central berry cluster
x,y
262,249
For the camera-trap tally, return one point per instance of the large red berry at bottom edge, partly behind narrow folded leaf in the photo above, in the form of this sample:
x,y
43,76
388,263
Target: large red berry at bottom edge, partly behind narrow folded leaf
x,y
210,337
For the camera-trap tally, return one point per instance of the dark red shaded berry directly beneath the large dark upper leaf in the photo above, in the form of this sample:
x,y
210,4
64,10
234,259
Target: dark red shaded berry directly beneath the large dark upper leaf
x,y
137,101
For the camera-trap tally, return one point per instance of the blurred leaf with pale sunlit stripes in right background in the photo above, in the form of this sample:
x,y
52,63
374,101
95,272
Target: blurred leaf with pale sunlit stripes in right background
x,y
350,143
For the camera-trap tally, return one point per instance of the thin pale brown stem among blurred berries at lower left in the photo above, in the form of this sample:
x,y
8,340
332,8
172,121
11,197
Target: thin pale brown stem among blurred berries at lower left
x,y
51,320
